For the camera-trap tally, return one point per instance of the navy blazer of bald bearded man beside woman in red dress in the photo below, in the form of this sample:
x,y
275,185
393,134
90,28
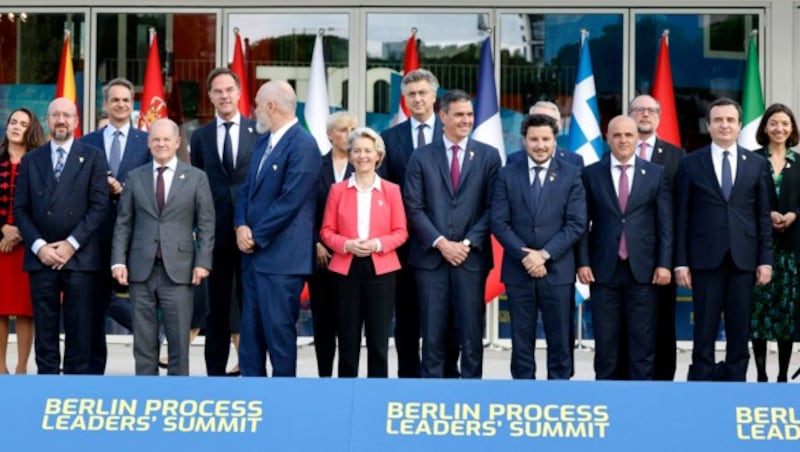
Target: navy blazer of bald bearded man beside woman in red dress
x,y
75,205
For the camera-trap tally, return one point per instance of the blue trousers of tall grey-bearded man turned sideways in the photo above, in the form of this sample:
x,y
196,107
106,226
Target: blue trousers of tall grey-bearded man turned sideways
x,y
270,308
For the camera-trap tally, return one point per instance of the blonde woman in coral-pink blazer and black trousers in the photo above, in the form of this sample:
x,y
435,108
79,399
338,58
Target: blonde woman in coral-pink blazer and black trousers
x,y
364,223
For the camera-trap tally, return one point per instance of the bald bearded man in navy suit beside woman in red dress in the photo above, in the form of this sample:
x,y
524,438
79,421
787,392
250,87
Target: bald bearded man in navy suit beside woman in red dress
x,y
60,202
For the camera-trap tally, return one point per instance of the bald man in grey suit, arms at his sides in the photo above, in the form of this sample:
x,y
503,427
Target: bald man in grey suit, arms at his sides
x,y
163,207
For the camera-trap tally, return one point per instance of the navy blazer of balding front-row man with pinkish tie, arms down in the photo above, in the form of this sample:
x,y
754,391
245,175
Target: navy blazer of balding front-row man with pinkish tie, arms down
x,y
647,221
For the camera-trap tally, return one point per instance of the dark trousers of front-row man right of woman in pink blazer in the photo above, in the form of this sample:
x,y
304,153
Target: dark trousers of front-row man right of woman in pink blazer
x,y
458,294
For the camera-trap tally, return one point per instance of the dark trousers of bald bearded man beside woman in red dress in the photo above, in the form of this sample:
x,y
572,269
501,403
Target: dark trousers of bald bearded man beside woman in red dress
x,y
47,288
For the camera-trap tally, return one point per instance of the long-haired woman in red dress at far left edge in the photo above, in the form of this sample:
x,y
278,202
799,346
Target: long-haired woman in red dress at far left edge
x,y
23,133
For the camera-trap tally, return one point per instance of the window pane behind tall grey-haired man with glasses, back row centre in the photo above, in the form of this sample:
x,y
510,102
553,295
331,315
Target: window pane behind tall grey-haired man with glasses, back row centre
x,y
451,52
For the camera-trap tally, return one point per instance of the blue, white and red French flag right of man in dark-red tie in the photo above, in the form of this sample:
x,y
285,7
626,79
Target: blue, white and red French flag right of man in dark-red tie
x,y
489,130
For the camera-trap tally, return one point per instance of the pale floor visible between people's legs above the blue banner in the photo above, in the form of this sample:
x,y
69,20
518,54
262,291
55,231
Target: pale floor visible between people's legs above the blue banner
x,y
496,360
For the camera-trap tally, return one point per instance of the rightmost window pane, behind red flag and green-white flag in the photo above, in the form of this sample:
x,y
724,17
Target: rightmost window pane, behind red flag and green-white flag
x,y
707,58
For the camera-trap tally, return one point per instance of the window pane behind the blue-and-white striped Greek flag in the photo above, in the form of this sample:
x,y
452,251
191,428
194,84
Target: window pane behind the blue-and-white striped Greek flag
x,y
539,61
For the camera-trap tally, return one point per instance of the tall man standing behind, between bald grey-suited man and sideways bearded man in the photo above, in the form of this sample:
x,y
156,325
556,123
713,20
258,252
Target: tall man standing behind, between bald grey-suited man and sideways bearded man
x,y
223,148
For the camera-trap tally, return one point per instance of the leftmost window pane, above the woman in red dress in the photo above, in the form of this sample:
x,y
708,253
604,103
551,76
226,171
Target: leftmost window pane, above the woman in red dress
x,y
30,52
